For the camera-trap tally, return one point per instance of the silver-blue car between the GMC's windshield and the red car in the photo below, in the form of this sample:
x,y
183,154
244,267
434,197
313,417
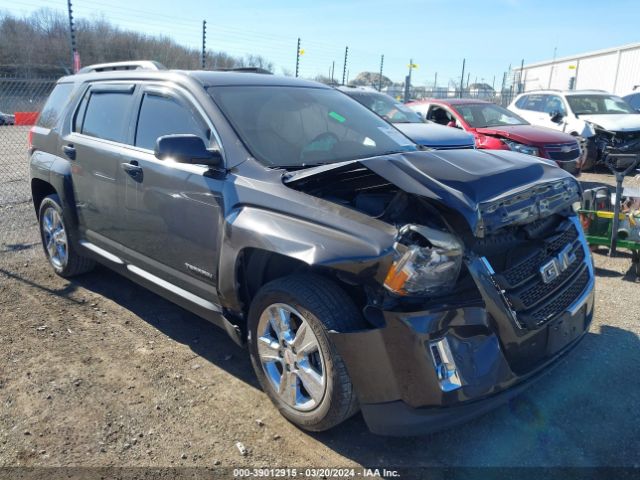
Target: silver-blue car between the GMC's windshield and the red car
x,y
426,134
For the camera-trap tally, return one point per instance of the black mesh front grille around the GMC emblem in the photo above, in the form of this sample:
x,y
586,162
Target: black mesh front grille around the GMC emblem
x,y
534,301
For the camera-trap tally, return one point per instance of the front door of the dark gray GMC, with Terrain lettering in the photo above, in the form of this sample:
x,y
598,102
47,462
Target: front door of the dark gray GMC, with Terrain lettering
x,y
172,212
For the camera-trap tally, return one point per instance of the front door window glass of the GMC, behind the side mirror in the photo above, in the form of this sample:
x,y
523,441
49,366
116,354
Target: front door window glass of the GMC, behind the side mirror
x,y
160,115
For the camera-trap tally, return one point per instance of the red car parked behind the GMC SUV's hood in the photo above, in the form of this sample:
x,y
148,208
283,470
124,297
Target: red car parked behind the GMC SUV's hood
x,y
497,128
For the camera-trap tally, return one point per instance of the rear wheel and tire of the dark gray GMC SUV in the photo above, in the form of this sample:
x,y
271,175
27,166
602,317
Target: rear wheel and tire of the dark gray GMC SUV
x,y
54,233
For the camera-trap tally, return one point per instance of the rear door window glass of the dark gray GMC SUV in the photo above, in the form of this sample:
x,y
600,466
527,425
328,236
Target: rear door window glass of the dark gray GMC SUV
x,y
106,115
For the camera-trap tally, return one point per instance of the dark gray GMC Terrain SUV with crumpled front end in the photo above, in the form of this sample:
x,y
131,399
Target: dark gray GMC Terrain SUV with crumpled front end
x,y
363,272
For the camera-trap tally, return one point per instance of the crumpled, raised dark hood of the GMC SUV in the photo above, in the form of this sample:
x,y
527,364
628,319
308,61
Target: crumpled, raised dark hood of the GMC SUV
x,y
489,188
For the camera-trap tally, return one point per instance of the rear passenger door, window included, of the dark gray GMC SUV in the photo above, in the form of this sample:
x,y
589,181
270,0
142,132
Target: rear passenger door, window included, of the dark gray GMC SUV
x,y
96,145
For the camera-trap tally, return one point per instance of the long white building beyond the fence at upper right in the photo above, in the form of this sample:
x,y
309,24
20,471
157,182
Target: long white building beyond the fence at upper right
x,y
616,70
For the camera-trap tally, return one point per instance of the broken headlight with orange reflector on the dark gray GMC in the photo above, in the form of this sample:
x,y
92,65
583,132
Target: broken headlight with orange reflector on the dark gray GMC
x,y
427,262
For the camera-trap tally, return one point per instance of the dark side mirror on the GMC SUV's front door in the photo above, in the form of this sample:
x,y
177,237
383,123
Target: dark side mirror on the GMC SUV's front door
x,y
186,148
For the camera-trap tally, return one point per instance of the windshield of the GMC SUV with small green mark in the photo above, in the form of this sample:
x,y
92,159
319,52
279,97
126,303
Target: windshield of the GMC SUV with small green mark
x,y
303,126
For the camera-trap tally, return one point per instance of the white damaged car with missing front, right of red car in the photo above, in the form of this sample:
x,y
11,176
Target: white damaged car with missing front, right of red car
x,y
604,120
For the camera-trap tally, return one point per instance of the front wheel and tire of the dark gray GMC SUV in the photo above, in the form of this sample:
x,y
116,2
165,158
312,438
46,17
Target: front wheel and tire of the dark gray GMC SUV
x,y
292,355
